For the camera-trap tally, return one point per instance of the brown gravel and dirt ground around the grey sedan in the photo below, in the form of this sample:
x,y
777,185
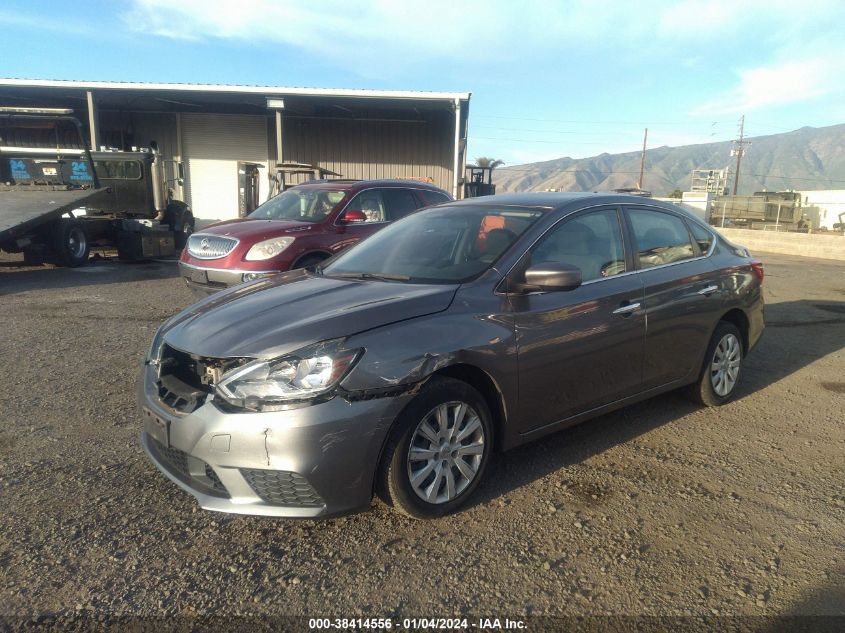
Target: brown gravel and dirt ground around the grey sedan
x,y
663,508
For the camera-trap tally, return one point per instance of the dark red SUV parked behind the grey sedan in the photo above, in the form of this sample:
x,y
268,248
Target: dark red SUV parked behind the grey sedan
x,y
300,227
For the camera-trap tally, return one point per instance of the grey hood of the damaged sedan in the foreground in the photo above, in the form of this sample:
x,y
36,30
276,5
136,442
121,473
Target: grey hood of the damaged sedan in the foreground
x,y
272,317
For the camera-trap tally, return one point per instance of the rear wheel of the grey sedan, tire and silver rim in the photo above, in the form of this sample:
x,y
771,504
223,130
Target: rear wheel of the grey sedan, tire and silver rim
x,y
722,367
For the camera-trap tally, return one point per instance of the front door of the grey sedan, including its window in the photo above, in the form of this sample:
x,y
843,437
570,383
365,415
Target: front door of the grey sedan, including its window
x,y
582,348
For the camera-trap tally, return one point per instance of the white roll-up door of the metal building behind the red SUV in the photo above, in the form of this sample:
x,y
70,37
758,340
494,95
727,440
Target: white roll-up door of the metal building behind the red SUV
x,y
212,145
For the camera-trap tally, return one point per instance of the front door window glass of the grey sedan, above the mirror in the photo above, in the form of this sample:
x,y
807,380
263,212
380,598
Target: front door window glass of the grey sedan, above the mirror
x,y
591,242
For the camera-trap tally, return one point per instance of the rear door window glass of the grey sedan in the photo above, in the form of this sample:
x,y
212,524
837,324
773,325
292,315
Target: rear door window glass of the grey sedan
x,y
661,238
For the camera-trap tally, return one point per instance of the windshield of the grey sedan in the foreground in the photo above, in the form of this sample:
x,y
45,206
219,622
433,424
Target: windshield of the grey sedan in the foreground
x,y
439,245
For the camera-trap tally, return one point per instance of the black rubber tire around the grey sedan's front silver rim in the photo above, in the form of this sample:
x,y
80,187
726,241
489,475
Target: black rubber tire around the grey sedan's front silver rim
x,y
394,476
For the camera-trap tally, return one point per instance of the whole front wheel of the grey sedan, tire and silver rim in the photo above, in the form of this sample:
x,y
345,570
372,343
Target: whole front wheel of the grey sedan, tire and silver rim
x,y
438,450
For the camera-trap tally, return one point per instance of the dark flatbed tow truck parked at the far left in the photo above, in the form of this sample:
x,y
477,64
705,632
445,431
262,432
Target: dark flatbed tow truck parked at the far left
x,y
58,200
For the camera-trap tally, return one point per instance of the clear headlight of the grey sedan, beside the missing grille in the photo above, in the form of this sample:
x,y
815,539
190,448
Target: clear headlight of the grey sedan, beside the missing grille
x,y
302,375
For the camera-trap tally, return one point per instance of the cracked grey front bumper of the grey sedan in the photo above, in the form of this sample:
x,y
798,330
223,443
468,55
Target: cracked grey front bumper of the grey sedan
x,y
304,462
